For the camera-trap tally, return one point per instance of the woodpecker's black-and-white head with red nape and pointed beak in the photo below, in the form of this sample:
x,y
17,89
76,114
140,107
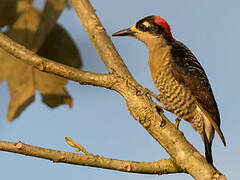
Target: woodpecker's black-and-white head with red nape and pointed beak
x,y
148,29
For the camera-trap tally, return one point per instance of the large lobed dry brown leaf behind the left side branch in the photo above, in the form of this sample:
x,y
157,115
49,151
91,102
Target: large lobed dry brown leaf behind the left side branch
x,y
22,79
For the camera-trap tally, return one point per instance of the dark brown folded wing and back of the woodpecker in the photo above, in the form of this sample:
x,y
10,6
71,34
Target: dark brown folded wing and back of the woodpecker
x,y
188,71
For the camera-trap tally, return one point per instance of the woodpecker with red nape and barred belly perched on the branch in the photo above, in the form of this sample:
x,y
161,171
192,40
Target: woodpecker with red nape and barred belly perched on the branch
x,y
180,79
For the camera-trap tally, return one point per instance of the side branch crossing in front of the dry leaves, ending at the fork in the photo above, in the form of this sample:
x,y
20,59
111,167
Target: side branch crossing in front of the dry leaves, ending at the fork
x,y
43,64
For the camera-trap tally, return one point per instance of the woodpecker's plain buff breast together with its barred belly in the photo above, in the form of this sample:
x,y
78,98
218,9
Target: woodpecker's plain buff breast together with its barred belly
x,y
174,95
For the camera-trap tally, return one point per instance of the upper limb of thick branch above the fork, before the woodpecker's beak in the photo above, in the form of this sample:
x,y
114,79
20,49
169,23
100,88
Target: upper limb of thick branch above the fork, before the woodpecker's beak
x,y
99,37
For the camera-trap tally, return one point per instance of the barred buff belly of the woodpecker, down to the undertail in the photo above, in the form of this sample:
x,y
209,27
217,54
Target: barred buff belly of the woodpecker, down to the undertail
x,y
181,102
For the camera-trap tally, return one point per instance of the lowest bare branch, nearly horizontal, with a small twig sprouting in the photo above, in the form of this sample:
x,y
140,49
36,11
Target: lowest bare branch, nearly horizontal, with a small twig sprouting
x,y
157,167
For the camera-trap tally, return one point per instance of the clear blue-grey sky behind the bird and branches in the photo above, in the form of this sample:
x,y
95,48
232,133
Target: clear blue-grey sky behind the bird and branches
x,y
99,119
